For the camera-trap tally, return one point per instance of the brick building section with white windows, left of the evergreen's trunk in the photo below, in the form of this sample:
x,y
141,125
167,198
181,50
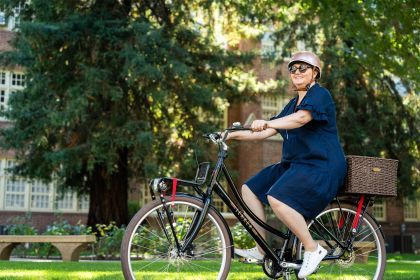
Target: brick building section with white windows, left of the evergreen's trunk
x,y
19,196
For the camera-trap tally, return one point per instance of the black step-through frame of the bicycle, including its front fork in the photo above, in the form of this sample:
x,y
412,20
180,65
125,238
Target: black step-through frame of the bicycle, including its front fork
x,y
216,187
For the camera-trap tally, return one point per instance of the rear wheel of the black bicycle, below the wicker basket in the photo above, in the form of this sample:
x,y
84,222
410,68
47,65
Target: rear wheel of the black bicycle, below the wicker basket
x,y
365,260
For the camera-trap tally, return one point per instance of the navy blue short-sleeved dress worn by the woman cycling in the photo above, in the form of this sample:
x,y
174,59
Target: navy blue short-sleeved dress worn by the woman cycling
x,y
313,165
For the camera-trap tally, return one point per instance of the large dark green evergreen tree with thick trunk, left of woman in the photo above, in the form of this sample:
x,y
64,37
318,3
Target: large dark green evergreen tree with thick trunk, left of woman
x,y
115,89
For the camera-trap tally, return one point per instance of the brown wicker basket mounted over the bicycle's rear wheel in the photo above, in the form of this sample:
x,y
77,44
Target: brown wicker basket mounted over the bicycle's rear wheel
x,y
372,176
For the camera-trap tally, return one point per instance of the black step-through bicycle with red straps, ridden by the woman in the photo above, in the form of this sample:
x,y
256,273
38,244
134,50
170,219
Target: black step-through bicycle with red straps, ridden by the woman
x,y
184,236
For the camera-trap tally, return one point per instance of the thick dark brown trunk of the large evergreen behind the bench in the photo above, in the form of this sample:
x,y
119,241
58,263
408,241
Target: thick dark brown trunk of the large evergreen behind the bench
x,y
109,194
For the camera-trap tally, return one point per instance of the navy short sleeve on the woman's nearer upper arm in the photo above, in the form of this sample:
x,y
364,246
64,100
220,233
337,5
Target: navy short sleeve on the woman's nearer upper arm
x,y
317,101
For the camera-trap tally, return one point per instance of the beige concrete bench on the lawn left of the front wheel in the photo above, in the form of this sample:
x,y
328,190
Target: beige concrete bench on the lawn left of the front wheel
x,y
69,246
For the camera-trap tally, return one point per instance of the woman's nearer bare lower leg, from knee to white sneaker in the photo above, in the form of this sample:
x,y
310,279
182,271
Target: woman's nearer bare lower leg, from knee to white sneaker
x,y
294,221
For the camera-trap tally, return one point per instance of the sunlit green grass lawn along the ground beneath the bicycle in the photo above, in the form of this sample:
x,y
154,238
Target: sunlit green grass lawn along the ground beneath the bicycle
x,y
399,267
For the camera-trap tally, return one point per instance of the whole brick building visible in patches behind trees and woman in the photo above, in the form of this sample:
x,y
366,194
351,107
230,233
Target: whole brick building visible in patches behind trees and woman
x,y
19,196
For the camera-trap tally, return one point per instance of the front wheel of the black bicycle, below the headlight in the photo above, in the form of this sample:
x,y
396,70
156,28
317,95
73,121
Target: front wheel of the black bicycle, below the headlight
x,y
149,250
